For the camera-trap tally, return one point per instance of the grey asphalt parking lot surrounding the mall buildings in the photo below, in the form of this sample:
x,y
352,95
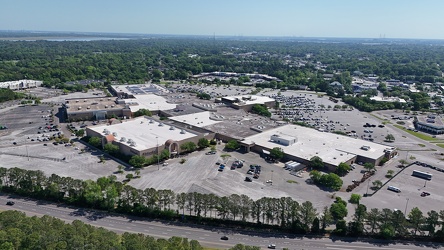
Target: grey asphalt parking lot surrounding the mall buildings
x,y
200,172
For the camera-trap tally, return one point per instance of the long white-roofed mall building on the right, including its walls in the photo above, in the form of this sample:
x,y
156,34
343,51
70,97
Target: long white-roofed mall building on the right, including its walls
x,y
301,144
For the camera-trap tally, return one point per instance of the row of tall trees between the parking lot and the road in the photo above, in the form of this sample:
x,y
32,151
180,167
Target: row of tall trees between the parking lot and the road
x,y
285,213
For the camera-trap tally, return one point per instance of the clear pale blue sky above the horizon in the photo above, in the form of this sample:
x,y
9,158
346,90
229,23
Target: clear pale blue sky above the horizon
x,y
294,18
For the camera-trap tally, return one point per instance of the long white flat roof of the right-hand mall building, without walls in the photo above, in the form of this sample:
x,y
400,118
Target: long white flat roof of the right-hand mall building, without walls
x,y
332,148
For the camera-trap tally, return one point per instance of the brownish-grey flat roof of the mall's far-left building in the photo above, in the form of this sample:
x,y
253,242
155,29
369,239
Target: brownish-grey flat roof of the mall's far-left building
x,y
97,103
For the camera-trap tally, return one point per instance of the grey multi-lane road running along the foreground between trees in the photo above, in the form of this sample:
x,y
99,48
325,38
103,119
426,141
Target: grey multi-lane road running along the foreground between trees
x,y
209,237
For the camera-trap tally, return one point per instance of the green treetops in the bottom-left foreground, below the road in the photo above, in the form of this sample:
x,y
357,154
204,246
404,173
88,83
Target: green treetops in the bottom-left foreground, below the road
x,y
17,231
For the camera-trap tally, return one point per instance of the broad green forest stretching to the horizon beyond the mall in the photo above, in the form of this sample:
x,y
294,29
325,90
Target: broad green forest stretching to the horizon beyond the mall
x,y
137,60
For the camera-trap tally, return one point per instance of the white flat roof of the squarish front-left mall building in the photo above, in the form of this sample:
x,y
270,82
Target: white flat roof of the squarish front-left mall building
x,y
145,132
